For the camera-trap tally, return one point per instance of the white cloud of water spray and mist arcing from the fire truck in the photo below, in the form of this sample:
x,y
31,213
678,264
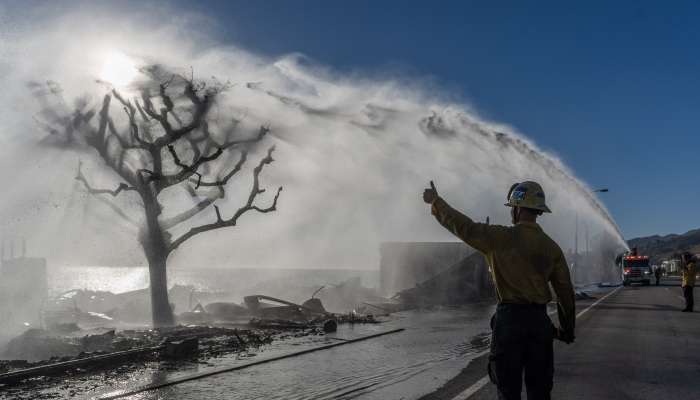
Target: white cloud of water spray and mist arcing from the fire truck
x,y
353,152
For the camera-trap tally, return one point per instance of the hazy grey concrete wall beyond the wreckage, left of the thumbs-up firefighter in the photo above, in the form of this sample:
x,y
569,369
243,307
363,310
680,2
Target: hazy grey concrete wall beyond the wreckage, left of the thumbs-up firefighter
x,y
403,264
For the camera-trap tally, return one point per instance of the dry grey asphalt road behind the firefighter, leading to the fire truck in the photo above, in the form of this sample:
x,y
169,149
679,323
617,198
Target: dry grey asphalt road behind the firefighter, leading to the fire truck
x,y
634,343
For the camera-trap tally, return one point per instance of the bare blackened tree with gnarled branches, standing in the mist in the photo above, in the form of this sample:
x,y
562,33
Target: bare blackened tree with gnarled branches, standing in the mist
x,y
169,139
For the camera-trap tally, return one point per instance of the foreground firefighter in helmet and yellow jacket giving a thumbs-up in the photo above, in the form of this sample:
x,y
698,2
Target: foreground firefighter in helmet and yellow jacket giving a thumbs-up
x,y
523,261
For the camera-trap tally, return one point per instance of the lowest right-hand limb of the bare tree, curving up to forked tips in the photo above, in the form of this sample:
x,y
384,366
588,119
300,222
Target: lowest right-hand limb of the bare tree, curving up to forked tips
x,y
249,206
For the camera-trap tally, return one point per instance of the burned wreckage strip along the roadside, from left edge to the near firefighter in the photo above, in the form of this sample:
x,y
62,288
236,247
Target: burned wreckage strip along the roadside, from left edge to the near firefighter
x,y
77,331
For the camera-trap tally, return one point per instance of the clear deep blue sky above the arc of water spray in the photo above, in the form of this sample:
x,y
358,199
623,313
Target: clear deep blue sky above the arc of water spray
x,y
612,88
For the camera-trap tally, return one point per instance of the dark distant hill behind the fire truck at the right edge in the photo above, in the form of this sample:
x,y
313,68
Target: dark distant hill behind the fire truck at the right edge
x,y
661,248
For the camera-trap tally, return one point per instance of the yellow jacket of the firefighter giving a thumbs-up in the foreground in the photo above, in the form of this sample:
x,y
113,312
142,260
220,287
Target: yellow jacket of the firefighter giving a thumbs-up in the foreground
x,y
522,258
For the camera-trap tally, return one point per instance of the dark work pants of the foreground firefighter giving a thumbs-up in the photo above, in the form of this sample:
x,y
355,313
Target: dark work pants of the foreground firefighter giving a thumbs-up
x,y
522,341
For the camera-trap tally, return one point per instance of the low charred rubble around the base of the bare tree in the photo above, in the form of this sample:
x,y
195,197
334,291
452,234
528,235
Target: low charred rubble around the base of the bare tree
x,y
266,318
